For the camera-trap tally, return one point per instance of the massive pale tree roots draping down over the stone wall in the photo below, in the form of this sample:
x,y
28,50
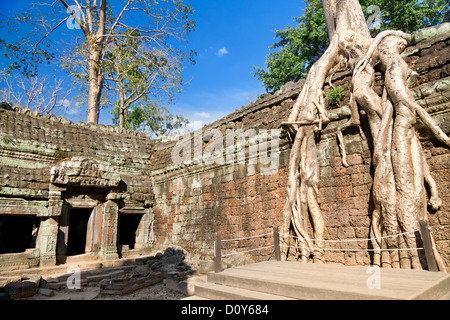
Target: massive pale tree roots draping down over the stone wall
x,y
401,171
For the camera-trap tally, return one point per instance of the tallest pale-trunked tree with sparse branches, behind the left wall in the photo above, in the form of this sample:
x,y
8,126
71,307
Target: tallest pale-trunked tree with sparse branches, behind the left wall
x,y
158,23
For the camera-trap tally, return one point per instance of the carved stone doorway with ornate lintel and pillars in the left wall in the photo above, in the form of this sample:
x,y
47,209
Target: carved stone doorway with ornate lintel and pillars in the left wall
x,y
86,198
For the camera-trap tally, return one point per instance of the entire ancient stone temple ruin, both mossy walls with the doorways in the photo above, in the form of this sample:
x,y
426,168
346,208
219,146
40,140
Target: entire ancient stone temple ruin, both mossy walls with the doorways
x,y
69,190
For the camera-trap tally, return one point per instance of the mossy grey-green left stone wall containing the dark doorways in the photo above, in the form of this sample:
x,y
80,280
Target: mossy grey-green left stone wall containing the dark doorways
x,y
50,166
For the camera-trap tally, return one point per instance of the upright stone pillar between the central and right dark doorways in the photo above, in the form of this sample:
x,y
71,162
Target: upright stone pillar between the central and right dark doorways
x,y
109,230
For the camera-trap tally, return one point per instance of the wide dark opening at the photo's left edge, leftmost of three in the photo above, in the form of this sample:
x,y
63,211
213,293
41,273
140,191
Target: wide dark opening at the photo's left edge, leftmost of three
x,y
17,234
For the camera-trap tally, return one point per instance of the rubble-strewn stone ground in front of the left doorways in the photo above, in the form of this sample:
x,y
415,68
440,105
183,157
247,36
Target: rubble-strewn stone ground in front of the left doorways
x,y
159,277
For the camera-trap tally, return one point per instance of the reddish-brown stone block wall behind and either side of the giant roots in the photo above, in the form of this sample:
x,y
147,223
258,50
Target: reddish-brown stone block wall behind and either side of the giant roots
x,y
196,199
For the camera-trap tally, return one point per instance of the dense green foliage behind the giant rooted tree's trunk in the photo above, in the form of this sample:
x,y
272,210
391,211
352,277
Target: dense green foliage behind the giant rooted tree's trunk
x,y
301,46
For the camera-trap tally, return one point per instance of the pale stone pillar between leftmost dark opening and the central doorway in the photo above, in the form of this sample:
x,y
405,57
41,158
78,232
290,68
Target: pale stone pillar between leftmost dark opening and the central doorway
x,y
47,240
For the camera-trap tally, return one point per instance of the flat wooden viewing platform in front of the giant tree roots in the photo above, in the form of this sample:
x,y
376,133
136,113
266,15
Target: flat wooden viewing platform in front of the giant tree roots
x,y
294,280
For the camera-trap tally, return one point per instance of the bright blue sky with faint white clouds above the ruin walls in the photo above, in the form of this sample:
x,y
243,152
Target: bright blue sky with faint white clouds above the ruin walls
x,y
231,37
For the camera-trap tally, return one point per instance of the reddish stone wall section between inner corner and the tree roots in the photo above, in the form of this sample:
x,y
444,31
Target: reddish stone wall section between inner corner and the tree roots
x,y
193,200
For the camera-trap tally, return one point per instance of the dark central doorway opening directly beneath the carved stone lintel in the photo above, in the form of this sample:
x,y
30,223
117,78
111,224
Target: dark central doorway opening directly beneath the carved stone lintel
x,y
78,221
